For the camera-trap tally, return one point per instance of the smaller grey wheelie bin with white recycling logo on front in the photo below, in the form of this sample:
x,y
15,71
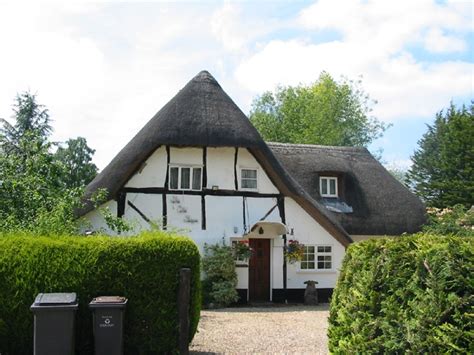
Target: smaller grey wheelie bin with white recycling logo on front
x,y
108,312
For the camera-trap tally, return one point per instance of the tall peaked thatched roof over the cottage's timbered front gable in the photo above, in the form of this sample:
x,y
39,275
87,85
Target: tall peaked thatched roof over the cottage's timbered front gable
x,y
200,115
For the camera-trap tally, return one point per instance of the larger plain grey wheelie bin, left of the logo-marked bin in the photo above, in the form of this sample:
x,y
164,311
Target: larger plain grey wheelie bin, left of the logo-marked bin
x,y
54,323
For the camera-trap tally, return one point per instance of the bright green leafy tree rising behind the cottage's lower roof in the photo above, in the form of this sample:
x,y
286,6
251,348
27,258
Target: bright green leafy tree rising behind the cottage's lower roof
x,y
326,112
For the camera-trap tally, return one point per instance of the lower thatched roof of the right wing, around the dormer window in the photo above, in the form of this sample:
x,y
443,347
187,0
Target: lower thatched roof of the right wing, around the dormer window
x,y
381,205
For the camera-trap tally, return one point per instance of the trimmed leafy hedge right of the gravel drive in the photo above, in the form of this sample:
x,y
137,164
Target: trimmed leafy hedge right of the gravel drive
x,y
407,294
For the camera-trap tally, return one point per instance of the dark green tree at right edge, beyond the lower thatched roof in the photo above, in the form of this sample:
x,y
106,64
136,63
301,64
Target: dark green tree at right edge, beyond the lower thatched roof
x,y
443,165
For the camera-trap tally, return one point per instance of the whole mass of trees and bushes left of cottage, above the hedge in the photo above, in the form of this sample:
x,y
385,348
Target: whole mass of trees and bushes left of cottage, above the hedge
x,y
39,189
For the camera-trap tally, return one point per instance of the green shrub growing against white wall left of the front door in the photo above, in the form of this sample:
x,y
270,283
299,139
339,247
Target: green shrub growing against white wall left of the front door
x,y
220,277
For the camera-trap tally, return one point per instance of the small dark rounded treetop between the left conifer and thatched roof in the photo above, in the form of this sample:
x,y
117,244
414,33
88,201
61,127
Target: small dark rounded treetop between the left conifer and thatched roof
x,y
76,158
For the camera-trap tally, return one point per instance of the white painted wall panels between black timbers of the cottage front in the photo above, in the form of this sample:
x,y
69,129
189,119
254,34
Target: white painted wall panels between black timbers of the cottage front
x,y
224,216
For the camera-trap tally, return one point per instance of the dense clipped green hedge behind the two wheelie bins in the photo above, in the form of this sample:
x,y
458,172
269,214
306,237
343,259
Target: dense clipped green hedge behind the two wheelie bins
x,y
144,269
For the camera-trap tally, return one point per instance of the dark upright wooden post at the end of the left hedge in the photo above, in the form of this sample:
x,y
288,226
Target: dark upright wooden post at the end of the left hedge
x,y
184,294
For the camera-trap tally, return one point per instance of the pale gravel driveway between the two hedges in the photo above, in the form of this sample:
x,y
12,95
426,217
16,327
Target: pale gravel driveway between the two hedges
x,y
262,330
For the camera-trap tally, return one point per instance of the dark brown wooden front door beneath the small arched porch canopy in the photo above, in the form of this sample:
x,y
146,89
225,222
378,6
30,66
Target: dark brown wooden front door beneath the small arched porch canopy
x,y
259,270
